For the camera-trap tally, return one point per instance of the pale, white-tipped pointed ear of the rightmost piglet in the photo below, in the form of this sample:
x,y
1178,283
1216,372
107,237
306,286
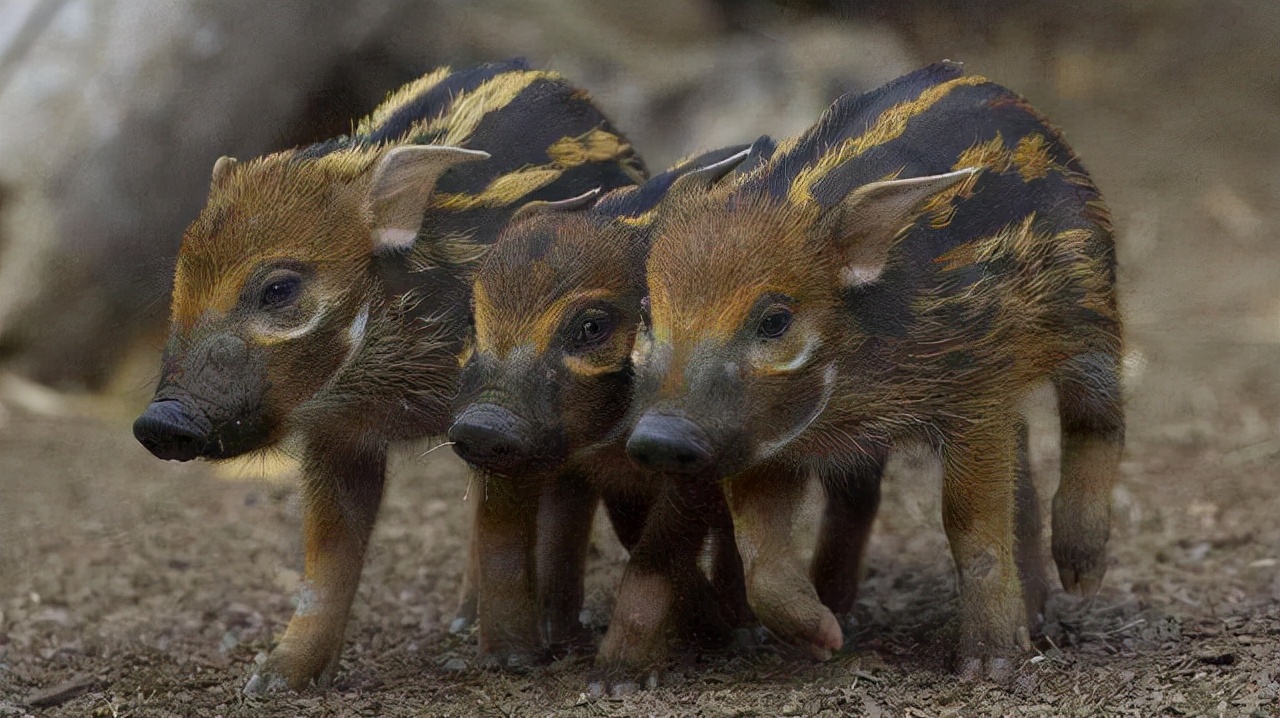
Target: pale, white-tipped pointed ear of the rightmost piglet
x,y
868,221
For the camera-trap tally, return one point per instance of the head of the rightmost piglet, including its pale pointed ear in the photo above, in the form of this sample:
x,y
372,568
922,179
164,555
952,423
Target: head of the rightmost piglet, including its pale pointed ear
x,y
746,287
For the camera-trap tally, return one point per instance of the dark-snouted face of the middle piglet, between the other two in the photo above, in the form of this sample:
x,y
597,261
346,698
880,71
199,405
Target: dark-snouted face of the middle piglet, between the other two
x,y
557,304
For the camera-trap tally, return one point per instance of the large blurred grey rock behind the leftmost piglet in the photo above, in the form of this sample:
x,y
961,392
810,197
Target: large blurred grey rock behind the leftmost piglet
x,y
113,117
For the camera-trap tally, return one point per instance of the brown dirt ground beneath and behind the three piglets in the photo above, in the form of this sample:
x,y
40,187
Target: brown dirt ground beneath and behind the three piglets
x,y
136,588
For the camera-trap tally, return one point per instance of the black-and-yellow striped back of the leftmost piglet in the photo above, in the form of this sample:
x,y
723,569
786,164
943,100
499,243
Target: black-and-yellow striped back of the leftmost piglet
x,y
545,136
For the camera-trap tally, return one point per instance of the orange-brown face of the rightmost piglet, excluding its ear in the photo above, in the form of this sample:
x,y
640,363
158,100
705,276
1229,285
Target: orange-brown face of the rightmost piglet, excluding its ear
x,y
744,323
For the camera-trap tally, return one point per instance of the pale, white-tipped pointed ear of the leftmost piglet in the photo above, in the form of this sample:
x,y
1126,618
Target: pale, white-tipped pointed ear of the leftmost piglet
x,y
403,184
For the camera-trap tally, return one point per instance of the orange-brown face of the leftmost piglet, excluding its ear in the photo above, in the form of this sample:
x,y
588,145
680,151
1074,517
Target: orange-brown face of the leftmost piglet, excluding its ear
x,y
267,305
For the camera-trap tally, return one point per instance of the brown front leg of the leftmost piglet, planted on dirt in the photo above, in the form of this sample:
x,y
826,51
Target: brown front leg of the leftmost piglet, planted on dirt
x,y
341,493
